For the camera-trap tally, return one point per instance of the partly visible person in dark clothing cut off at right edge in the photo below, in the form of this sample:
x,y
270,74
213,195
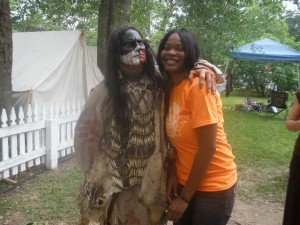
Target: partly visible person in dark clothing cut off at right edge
x,y
291,215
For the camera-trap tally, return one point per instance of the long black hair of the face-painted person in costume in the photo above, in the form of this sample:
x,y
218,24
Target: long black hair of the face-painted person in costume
x,y
113,81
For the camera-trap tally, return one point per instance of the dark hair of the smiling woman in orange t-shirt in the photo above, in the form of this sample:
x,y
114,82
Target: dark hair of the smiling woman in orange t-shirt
x,y
192,54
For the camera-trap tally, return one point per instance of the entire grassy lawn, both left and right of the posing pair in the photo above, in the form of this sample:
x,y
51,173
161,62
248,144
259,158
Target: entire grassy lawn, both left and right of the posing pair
x,y
262,147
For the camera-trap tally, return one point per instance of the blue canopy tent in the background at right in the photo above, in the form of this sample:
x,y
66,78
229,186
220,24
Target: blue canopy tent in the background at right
x,y
267,50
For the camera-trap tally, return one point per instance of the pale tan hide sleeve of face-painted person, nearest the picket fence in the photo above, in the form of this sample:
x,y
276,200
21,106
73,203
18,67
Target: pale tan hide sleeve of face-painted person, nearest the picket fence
x,y
90,127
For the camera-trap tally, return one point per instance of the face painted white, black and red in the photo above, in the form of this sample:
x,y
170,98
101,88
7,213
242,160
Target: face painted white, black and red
x,y
132,49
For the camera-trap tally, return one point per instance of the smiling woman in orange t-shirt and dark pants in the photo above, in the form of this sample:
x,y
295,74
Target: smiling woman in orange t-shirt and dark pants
x,y
201,179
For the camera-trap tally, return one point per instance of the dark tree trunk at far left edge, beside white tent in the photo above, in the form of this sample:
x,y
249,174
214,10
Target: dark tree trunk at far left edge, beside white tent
x,y
5,55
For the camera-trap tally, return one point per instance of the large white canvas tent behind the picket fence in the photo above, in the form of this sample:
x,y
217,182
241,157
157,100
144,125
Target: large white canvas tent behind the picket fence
x,y
52,67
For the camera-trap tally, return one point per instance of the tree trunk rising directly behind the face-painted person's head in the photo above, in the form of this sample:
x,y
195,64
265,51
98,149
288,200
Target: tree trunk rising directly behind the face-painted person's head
x,y
112,14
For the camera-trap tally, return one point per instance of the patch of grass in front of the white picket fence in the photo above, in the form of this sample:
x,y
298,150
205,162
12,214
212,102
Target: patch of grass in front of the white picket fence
x,y
49,197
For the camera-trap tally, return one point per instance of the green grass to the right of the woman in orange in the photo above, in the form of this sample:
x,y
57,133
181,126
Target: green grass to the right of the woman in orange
x,y
263,149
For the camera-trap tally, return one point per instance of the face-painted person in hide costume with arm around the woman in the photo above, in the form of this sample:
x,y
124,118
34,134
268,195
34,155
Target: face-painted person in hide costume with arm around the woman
x,y
120,140
